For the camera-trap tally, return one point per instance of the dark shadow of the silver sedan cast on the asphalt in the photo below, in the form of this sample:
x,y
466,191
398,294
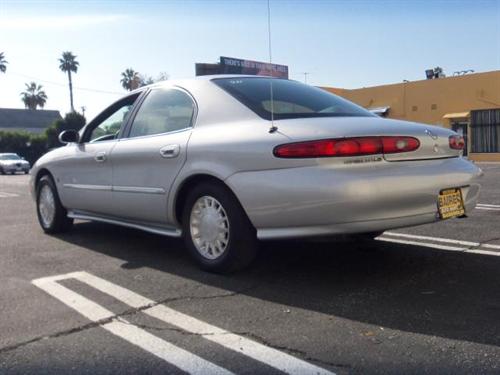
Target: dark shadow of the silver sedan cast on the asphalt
x,y
404,287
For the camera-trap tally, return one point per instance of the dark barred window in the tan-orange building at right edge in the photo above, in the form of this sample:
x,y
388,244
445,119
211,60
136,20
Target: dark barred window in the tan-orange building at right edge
x,y
485,130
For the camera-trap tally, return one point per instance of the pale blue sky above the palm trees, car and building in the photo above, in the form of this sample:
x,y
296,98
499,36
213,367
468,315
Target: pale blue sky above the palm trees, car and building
x,y
340,43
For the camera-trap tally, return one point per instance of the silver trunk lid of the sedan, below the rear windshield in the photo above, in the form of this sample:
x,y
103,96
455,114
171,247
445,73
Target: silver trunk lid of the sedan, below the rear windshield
x,y
434,142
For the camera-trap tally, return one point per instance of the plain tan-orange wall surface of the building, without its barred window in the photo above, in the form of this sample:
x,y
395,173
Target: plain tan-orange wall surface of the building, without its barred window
x,y
427,101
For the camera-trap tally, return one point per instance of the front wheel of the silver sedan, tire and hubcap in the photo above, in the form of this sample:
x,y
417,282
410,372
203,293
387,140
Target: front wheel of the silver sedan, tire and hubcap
x,y
52,216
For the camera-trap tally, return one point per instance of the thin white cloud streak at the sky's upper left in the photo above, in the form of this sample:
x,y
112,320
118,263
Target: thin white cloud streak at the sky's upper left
x,y
56,22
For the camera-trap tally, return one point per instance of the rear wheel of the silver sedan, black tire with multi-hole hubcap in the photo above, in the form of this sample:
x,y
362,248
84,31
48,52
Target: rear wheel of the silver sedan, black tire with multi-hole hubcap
x,y
217,232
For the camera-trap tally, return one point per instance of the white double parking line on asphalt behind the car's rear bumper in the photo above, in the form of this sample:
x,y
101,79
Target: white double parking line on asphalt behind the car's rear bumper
x,y
413,239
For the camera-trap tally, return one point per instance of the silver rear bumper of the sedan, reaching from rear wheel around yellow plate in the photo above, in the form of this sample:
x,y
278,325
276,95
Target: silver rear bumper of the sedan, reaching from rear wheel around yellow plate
x,y
335,199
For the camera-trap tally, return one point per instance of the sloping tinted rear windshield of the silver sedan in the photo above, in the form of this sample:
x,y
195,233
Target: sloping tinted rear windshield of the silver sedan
x,y
291,99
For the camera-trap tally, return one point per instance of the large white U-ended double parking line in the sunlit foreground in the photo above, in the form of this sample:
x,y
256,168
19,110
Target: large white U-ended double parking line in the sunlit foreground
x,y
177,356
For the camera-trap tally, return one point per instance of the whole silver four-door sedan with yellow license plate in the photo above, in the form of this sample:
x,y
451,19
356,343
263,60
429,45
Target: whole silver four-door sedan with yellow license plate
x,y
226,160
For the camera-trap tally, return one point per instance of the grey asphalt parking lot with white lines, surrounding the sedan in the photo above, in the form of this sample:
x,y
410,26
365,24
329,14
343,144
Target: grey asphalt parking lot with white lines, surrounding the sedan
x,y
104,299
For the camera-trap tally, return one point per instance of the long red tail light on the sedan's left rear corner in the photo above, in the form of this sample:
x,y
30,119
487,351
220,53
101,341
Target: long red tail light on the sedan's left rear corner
x,y
357,146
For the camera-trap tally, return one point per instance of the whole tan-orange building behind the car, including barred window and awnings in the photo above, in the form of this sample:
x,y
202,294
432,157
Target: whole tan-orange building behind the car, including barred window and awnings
x,y
469,104
